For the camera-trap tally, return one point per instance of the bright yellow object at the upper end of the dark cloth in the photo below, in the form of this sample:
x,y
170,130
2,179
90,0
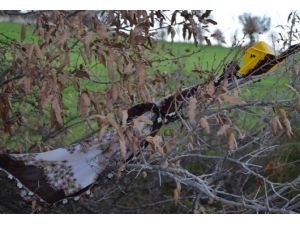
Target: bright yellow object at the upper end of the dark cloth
x,y
255,54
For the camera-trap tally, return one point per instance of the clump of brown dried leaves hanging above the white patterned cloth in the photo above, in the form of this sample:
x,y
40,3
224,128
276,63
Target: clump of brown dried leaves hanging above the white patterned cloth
x,y
42,71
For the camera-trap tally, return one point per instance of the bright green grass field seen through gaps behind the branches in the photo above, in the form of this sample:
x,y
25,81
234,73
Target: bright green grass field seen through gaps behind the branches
x,y
179,59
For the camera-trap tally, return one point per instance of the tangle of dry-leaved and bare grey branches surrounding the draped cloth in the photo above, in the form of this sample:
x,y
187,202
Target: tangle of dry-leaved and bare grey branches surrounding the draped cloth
x,y
226,152
